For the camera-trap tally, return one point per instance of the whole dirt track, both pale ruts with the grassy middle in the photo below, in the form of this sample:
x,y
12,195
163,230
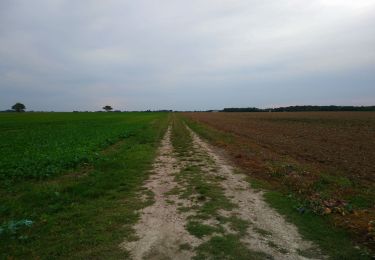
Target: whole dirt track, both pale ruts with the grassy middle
x,y
202,204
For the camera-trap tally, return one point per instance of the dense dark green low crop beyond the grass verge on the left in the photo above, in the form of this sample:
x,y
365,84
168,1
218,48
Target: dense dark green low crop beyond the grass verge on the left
x,y
42,144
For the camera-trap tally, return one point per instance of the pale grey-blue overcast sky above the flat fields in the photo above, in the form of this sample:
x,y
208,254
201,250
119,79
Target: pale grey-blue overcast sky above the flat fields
x,y
66,55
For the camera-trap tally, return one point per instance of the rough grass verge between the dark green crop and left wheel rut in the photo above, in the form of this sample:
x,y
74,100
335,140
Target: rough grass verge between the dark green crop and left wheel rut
x,y
87,212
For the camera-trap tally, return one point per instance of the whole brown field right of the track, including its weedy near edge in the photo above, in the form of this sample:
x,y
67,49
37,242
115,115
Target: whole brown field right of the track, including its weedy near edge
x,y
325,158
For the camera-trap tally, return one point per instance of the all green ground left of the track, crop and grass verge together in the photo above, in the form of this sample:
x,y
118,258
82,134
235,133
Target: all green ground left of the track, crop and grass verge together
x,y
64,179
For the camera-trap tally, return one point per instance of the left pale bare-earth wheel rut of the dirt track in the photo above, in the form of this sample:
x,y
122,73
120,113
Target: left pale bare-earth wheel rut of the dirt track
x,y
161,230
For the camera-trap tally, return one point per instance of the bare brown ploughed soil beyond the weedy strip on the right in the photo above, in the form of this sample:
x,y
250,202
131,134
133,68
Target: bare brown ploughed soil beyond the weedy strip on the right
x,y
341,142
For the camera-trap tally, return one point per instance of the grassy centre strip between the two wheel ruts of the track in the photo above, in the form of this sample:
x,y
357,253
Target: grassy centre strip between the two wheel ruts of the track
x,y
198,184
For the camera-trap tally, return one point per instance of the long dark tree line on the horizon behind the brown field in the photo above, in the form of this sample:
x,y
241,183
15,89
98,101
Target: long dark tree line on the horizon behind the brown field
x,y
302,109
